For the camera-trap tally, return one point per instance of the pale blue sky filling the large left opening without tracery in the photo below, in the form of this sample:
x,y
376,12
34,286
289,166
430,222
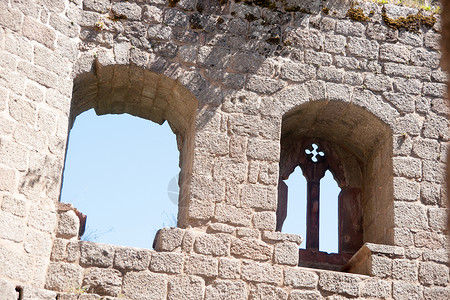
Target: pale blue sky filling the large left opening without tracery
x,y
117,172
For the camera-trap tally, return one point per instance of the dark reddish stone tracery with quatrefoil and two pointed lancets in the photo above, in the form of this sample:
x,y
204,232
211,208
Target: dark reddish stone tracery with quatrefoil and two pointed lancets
x,y
315,157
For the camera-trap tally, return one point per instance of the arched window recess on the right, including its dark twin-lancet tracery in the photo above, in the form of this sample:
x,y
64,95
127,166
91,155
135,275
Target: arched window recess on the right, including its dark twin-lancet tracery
x,y
355,147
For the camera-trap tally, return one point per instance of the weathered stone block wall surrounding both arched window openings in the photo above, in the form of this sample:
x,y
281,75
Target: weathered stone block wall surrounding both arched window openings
x,y
229,78
